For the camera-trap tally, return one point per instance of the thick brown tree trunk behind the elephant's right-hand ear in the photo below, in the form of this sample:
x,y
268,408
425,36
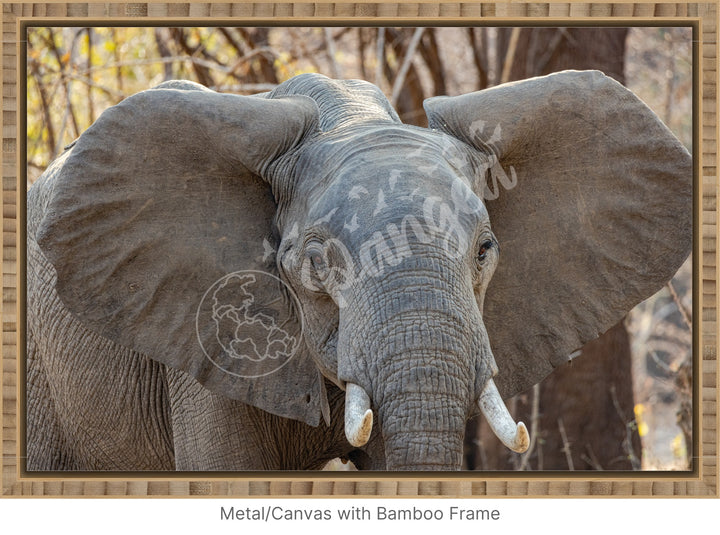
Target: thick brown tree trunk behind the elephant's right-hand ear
x,y
585,414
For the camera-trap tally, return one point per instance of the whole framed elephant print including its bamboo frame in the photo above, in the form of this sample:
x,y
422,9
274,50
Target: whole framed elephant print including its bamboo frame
x,y
377,254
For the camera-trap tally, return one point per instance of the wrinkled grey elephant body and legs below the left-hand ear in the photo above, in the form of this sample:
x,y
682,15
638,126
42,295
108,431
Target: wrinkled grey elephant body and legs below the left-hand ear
x,y
90,412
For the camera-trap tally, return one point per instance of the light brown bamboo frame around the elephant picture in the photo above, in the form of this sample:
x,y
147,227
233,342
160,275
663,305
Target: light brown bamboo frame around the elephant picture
x,y
701,482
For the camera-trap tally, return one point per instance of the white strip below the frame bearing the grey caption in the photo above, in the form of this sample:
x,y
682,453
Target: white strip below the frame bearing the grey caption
x,y
601,516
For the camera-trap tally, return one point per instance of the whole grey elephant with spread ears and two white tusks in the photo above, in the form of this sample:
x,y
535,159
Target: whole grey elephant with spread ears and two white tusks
x,y
268,282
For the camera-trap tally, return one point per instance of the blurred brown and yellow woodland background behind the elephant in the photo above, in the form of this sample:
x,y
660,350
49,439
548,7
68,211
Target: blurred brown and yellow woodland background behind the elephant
x,y
625,401
